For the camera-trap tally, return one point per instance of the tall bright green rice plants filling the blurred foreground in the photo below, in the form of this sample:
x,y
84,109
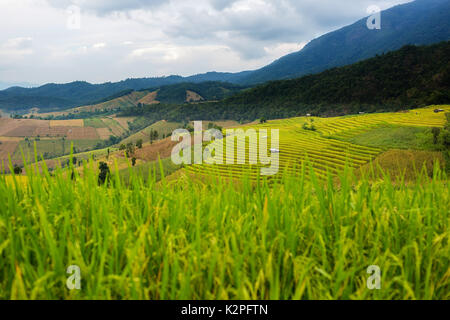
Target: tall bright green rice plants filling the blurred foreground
x,y
296,238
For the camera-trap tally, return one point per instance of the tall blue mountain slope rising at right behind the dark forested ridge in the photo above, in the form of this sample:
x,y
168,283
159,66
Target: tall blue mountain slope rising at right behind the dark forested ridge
x,y
420,22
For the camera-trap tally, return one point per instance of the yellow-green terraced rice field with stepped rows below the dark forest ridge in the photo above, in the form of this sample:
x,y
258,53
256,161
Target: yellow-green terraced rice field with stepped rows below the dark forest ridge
x,y
319,146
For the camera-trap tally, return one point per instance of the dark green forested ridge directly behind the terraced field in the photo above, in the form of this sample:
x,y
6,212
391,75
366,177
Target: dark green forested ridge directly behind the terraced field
x,y
403,79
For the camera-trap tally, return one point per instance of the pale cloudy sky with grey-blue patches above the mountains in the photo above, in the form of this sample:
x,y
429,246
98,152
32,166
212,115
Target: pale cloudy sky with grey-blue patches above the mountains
x,y
60,41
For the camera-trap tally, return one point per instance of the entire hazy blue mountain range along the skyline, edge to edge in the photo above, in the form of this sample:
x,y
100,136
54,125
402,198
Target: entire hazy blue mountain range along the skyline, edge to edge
x,y
420,22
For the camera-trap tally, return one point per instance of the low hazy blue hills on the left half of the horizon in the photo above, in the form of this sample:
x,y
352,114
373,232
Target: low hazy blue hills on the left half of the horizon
x,y
82,94
